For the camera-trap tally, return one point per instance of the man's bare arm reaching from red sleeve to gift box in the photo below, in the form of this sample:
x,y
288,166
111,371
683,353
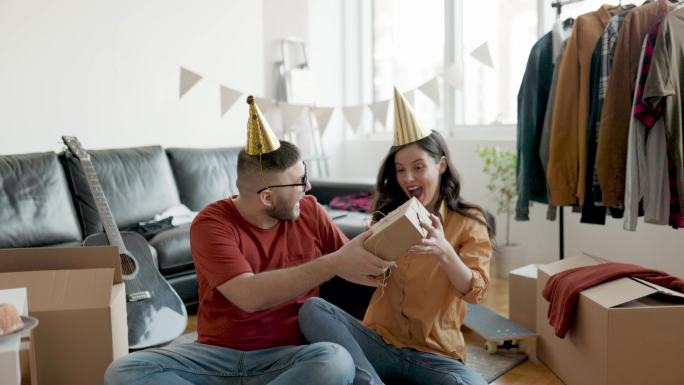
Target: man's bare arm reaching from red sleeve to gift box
x,y
254,292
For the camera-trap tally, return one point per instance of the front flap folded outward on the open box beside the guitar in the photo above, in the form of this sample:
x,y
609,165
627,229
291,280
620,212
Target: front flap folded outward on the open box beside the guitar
x,y
63,289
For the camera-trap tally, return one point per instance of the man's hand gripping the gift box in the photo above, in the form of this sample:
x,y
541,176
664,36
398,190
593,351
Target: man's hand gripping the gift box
x,y
354,260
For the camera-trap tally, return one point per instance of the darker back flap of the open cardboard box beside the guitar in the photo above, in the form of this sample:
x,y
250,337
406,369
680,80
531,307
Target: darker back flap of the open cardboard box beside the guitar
x,y
63,258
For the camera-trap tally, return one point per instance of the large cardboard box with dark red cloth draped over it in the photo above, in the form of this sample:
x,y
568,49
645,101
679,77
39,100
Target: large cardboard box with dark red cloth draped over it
x,y
625,332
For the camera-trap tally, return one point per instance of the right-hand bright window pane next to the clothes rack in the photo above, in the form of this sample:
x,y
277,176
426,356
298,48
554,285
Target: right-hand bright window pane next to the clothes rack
x,y
506,30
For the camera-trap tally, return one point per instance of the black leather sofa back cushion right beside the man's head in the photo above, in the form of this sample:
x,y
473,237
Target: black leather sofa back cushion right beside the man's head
x,y
204,176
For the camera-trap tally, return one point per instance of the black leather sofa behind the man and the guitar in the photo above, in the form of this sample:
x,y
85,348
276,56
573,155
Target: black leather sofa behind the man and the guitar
x,y
45,201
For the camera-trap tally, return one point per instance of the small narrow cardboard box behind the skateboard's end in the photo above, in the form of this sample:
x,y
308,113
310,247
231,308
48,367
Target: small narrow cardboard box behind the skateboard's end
x,y
522,291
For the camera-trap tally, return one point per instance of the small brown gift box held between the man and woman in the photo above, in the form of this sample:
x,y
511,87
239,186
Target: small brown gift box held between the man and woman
x,y
399,230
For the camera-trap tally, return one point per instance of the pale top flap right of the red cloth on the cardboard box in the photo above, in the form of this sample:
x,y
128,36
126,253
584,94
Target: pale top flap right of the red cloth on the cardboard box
x,y
617,292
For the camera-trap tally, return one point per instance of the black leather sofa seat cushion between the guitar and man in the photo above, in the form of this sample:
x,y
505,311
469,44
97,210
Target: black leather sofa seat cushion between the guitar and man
x,y
173,250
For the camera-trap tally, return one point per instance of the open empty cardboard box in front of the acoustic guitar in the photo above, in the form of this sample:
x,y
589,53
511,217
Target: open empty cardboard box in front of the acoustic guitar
x,y
78,296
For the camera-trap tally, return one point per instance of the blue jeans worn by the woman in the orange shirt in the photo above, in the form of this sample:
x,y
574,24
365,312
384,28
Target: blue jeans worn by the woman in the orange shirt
x,y
375,360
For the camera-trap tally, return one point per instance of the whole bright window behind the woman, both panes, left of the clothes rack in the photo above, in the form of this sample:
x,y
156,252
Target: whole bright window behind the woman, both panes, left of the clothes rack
x,y
410,45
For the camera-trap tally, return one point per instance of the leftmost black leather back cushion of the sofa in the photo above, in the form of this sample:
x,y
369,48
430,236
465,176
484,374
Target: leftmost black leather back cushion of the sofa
x,y
35,205
